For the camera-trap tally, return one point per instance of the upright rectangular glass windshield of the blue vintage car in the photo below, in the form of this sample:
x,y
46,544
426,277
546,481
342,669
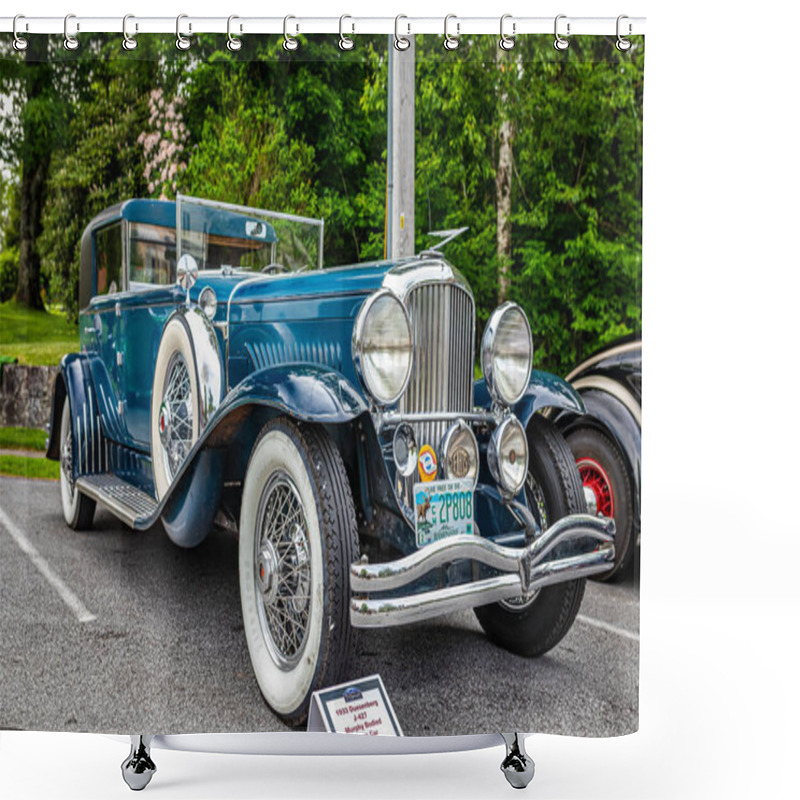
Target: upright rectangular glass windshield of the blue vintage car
x,y
220,235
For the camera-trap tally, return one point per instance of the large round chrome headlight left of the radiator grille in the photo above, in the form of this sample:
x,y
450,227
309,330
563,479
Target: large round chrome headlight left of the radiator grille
x,y
382,347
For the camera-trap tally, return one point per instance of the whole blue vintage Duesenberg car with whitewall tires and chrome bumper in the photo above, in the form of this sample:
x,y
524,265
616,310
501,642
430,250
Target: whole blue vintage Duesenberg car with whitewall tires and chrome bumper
x,y
330,417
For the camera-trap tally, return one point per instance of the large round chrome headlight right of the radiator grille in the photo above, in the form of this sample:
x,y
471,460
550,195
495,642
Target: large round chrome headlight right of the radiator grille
x,y
507,354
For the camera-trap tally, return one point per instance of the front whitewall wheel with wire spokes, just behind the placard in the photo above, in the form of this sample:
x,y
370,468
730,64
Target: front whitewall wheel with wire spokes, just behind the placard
x,y
297,539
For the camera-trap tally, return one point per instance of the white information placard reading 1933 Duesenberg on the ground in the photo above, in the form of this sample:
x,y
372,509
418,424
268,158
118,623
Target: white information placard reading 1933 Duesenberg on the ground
x,y
360,707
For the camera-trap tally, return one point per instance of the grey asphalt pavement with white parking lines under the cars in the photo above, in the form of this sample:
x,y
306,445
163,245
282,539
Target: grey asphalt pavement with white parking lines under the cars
x,y
162,647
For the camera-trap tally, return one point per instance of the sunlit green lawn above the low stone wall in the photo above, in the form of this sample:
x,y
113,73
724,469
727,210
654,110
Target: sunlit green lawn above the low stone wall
x,y
37,338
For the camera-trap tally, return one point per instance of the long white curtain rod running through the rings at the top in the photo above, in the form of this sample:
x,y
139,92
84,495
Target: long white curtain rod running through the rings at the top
x,y
349,25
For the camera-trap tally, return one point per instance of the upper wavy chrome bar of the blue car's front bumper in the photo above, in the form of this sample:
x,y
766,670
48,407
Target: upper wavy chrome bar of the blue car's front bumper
x,y
385,577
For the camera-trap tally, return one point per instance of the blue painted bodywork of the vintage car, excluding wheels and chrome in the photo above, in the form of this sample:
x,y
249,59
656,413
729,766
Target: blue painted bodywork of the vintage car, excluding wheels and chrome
x,y
286,345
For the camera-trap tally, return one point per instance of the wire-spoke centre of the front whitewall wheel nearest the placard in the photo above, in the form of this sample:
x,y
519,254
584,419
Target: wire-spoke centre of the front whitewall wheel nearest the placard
x,y
283,570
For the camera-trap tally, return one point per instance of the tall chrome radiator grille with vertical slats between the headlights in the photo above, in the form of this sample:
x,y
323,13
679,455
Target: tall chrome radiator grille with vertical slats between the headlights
x,y
443,325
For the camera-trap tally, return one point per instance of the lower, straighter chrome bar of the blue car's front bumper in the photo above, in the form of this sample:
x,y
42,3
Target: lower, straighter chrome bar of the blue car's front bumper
x,y
365,613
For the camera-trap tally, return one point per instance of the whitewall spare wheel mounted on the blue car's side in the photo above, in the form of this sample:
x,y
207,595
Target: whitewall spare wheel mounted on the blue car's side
x,y
174,407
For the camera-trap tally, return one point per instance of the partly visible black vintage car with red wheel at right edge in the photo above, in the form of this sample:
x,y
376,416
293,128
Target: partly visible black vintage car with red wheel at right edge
x,y
607,440
